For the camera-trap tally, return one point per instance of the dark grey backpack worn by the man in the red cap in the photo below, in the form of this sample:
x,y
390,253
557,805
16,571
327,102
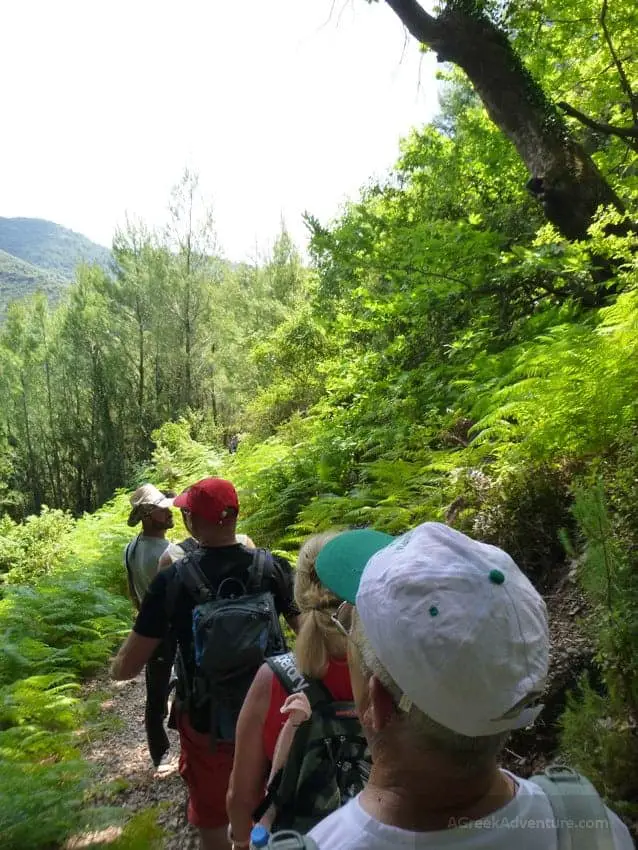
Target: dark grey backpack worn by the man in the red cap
x,y
234,630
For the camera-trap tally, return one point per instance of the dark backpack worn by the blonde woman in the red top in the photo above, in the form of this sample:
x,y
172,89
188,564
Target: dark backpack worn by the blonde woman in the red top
x,y
329,760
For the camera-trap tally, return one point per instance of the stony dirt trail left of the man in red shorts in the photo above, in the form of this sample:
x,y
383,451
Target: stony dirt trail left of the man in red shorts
x,y
125,774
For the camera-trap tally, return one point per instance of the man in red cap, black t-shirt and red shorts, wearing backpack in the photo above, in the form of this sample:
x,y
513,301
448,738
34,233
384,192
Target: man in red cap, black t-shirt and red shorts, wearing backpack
x,y
220,583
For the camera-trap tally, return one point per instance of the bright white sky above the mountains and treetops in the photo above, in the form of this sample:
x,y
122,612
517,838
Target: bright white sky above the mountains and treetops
x,y
280,105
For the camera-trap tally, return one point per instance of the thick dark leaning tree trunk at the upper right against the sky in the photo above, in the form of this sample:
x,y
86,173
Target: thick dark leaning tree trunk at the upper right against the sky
x,y
562,176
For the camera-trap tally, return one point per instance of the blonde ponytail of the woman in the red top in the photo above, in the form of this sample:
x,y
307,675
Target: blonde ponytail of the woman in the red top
x,y
318,640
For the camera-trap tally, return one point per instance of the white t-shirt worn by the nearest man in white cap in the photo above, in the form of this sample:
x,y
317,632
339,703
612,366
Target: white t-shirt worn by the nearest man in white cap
x,y
525,823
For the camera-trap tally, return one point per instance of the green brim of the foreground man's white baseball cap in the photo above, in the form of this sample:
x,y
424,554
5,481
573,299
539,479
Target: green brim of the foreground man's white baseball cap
x,y
342,560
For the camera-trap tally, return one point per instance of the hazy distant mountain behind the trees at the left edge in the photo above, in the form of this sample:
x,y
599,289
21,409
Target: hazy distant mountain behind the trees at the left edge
x,y
40,255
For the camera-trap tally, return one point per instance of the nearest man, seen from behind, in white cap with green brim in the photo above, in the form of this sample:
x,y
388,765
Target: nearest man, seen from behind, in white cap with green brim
x,y
448,652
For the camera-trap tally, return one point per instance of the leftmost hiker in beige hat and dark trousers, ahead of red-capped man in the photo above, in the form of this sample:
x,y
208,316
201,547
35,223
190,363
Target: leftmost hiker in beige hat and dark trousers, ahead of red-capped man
x,y
151,507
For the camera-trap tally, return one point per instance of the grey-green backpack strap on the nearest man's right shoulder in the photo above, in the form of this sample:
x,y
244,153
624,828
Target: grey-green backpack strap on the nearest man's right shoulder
x,y
579,812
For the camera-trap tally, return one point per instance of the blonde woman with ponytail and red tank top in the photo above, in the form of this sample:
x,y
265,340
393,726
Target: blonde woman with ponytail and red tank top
x,y
320,657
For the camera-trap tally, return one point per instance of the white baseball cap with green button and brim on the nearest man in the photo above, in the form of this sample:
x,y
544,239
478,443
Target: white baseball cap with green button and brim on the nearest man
x,y
456,624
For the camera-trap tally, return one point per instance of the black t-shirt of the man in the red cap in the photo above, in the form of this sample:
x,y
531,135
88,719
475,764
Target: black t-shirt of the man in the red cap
x,y
217,565
